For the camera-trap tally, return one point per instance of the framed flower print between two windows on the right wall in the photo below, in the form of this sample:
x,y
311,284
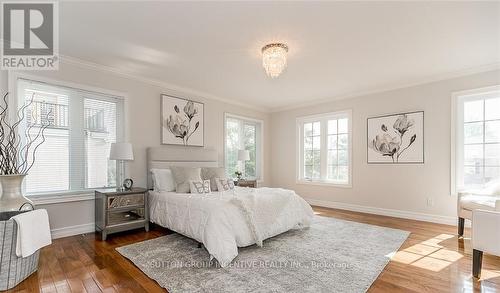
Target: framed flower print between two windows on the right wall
x,y
396,139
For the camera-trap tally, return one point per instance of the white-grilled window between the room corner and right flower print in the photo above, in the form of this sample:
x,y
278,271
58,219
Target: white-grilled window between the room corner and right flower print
x,y
324,154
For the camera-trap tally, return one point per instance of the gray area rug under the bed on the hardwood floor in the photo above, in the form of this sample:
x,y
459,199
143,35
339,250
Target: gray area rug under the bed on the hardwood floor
x,y
331,256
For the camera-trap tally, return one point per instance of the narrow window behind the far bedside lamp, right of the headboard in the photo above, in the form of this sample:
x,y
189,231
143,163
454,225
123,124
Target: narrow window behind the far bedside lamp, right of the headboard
x,y
243,134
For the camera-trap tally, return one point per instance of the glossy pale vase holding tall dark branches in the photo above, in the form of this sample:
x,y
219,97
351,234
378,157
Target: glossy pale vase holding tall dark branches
x,y
12,198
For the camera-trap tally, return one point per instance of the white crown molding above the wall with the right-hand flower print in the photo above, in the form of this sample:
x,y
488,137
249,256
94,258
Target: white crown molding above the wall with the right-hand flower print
x,y
396,86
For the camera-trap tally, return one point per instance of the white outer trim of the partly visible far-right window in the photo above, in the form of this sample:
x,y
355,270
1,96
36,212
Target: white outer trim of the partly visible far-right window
x,y
457,138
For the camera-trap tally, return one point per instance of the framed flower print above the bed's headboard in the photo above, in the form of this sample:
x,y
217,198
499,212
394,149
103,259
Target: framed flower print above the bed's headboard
x,y
182,121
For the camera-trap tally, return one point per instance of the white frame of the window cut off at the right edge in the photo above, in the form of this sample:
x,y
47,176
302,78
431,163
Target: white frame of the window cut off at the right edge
x,y
457,140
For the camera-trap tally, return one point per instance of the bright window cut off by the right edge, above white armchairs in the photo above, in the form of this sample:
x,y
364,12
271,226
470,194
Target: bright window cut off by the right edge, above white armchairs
x,y
476,138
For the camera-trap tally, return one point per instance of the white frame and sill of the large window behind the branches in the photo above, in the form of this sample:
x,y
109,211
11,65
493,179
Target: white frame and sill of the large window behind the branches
x,y
85,91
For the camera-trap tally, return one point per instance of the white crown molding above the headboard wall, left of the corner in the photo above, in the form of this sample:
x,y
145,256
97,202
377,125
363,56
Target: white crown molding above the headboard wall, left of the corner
x,y
156,82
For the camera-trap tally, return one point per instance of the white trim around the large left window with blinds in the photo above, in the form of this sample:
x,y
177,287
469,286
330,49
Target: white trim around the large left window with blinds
x,y
74,195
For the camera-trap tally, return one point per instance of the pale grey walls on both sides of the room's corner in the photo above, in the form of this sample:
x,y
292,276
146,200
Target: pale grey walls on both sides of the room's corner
x,y
395,190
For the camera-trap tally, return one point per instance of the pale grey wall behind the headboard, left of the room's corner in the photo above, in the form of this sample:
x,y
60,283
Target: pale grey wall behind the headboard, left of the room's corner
x,y
143,130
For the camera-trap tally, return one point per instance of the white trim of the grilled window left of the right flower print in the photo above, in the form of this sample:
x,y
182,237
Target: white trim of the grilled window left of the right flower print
x,y
299,145
